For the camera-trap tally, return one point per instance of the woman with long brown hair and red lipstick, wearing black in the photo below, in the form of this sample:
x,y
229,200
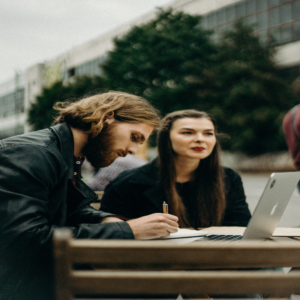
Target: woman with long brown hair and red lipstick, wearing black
x,y
187,175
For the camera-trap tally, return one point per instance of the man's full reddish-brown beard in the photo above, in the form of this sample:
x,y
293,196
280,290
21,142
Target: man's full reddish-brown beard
x,y
99,150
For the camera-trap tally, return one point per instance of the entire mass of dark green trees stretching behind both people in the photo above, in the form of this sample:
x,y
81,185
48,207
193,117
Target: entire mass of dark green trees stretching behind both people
x,y
172,62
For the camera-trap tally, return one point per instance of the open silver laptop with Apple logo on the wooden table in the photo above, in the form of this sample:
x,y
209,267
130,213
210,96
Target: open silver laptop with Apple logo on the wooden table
x,y
268,211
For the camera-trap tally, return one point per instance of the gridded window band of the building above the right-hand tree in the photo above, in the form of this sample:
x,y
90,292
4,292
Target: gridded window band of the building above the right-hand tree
x,y
279,18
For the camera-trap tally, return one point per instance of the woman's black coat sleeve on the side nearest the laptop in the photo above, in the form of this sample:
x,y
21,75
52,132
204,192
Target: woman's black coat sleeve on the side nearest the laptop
x,y
237,212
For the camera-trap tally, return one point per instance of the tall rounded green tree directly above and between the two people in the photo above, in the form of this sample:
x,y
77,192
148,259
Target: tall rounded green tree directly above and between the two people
x,y
164,61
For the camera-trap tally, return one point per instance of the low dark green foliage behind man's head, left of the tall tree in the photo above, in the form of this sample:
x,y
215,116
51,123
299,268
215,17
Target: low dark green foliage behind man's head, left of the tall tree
x,y
41,113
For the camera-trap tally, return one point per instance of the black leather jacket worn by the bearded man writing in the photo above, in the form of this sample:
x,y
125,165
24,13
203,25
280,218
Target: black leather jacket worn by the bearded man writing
x,y
35,197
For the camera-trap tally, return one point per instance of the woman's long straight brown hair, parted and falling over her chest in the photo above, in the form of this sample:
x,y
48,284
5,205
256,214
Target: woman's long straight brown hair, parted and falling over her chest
x,y
207,179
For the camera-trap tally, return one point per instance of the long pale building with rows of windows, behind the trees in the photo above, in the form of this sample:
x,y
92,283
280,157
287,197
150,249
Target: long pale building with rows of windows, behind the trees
x,y
281,18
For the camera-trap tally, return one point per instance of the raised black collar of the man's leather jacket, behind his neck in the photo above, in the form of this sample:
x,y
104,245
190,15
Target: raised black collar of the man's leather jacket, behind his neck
x,y
66,145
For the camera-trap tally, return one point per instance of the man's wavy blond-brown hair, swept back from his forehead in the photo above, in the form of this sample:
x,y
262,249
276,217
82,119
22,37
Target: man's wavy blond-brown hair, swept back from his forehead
x,y
89,113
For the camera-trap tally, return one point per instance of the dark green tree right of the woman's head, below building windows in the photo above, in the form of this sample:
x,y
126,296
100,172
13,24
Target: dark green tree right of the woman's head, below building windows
x,y
249,98
